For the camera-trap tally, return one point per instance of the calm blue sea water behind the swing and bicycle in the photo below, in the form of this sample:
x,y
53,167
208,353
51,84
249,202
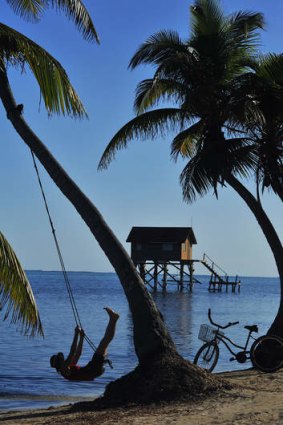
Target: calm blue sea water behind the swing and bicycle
x,y
27,381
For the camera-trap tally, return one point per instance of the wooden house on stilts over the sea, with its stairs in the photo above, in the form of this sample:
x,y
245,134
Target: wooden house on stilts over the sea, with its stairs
x,y
164,255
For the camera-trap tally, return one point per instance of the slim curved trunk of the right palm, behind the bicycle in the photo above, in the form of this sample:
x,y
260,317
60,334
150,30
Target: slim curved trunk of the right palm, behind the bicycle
x,y
273,241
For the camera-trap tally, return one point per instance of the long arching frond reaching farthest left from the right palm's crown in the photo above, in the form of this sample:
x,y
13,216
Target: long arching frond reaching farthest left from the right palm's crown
x,y
149,125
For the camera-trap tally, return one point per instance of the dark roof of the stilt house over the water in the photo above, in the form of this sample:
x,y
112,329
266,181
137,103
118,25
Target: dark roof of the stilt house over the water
x,y
161,234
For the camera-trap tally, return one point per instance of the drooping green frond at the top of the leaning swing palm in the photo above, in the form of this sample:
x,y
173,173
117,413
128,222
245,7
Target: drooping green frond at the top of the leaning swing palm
x,y
58,94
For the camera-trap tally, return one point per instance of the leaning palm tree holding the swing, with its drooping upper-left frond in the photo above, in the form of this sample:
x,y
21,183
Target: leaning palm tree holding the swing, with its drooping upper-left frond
x,y
161,372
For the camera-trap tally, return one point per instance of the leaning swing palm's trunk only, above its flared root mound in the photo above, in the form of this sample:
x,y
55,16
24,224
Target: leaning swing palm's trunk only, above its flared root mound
x,y
150,334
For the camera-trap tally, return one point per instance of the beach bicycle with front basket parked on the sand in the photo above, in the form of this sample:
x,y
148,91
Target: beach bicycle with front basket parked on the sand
x,y
266,352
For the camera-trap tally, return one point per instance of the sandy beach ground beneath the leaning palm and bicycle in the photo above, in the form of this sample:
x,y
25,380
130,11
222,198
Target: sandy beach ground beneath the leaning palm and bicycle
x,y
256,398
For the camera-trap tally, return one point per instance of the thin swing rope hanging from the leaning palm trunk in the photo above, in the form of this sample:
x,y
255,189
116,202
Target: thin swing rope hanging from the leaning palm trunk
x,y
65,274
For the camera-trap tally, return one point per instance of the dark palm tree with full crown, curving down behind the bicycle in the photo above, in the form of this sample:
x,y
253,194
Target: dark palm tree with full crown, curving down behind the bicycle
x,y
204,77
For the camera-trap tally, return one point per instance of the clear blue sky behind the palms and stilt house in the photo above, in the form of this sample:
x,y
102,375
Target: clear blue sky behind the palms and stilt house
x,y
141,187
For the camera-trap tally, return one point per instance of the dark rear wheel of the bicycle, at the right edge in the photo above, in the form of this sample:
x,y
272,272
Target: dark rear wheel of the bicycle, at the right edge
x,y
267,353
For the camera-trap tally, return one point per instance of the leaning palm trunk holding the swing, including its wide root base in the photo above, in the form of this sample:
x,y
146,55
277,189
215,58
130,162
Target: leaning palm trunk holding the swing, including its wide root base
x,y
162,374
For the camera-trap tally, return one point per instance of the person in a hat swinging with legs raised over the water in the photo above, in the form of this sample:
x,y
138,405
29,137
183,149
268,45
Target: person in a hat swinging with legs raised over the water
x,y
68,367
